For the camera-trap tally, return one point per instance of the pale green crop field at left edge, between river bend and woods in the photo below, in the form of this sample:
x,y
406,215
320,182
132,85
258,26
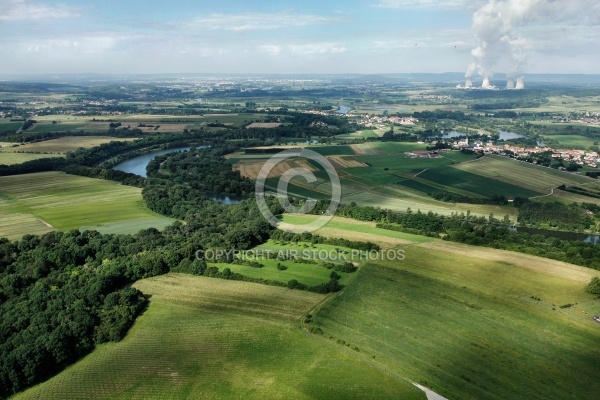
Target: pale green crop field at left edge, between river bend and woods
x,y
68,202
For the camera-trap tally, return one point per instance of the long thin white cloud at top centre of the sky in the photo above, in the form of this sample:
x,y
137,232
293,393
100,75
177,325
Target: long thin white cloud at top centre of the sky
x,y
256,21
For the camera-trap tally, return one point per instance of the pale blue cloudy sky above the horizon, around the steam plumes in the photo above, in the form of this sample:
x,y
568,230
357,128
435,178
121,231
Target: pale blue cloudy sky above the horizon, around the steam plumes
x,y
334,36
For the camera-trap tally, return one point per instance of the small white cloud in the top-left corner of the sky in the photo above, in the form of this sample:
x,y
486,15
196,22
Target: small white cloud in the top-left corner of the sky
x,y
25,10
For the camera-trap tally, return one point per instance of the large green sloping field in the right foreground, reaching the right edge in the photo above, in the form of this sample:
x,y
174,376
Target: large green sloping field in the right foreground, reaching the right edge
x,y
437,319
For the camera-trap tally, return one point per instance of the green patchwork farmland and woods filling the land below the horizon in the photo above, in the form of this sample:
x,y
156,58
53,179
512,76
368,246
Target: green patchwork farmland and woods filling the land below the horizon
x,y
469,322
